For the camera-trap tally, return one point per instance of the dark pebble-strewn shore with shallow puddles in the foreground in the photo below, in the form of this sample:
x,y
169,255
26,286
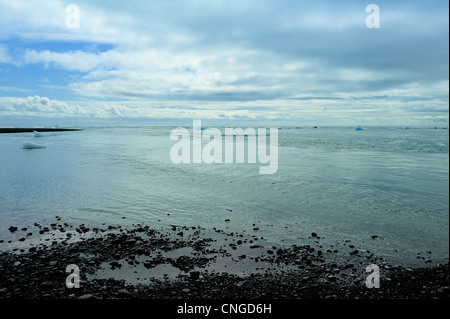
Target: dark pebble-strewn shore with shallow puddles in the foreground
x,y
186,263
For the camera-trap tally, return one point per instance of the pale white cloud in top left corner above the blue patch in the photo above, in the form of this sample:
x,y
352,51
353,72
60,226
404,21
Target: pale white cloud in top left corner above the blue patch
x,y
46,20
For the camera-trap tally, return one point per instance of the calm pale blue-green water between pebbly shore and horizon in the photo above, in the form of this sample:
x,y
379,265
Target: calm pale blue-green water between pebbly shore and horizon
x,y
340,183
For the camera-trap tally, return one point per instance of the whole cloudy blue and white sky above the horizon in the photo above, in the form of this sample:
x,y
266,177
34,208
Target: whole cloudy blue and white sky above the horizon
x,y
285,61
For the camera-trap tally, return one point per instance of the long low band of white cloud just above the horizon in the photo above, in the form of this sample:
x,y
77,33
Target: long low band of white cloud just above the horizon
x,y
311,112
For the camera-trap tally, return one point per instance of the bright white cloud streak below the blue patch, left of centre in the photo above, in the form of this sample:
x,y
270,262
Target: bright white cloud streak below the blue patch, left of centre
x,y
147,73
